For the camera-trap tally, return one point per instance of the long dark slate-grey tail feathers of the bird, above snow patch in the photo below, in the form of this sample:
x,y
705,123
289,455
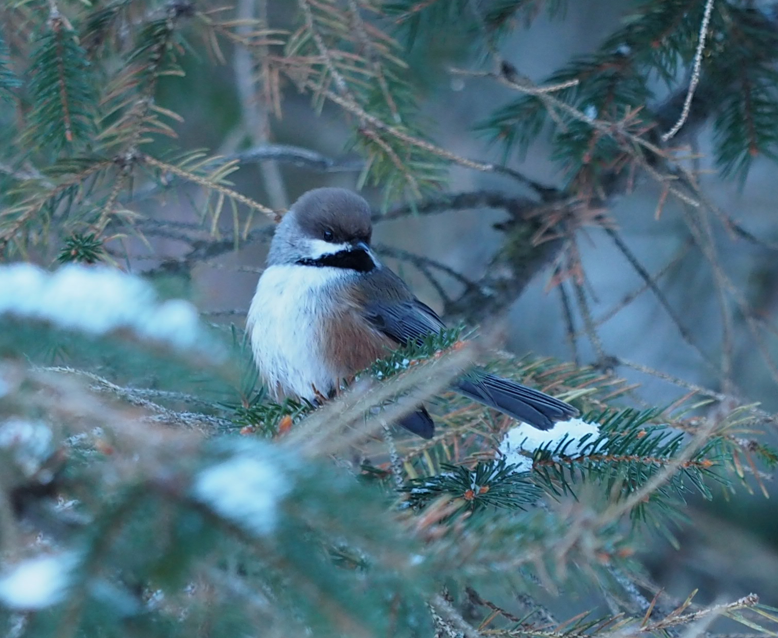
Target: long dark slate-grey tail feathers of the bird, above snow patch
x,y
520,402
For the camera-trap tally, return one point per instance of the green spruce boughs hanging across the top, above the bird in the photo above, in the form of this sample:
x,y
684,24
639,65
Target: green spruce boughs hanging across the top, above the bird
x,y
93,75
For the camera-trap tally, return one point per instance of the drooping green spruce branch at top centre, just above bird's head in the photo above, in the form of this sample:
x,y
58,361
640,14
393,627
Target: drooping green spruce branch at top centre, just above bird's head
x,y
361,66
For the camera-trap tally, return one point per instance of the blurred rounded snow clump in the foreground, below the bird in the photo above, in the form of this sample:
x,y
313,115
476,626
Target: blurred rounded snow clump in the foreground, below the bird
x,y
244,489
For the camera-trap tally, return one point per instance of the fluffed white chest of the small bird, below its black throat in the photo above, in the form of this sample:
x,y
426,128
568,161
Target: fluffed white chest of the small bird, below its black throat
x,y
286,326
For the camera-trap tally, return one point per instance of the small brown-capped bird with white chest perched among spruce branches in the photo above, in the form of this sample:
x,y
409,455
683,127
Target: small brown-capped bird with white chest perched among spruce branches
x,y
326,308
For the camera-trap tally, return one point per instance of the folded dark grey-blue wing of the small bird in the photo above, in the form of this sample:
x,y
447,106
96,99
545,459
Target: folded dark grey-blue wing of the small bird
x,y
391,308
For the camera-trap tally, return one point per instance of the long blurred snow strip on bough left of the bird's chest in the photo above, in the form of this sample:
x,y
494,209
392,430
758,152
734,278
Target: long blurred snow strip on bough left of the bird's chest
x,y
97,300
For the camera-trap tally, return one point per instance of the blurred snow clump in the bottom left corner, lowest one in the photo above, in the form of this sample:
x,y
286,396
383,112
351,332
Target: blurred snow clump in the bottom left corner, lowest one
x,y
37,582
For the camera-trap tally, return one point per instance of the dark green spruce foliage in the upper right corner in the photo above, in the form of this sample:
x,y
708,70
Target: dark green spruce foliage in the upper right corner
x,y
616,84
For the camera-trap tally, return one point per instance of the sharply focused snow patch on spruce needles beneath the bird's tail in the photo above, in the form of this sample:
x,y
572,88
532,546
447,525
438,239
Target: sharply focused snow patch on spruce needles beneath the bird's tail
x,y
527,439
